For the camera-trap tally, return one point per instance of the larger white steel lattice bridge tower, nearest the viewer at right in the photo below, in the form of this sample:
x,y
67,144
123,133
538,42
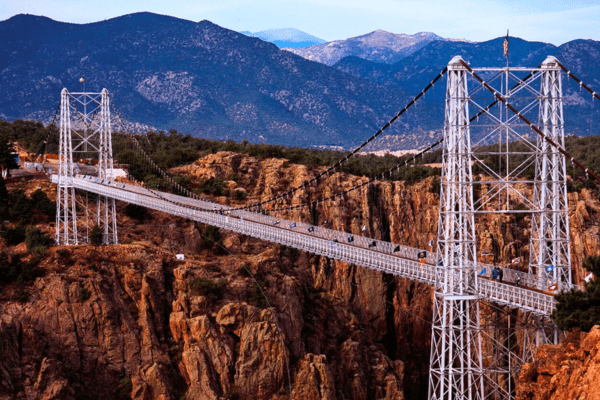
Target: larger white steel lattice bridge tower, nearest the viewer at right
x,y
471,359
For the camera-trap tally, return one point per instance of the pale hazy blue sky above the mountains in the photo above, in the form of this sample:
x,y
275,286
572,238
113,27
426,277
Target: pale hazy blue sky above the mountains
x,y
549,21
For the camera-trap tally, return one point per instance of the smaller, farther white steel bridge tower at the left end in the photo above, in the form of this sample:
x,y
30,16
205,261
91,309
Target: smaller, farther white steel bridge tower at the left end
x,y
88,134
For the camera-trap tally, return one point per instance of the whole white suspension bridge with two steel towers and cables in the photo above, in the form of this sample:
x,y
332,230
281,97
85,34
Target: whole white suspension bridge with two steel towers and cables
x,y
488,125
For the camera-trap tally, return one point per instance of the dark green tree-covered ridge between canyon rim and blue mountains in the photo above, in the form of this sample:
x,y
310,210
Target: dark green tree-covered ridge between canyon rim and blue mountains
x,y
171,149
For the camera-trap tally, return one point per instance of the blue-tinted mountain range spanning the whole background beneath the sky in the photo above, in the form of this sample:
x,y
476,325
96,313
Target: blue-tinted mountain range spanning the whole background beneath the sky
x,y
213,82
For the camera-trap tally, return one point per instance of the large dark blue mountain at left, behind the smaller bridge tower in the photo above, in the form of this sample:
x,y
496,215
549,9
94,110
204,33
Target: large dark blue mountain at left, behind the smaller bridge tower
x,y
198,78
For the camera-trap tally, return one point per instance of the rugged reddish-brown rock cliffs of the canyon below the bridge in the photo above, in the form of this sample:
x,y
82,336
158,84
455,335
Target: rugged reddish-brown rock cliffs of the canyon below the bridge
x,y
244,319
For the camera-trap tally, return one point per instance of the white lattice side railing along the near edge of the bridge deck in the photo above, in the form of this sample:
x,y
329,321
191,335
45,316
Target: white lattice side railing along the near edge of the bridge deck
x,y
320,244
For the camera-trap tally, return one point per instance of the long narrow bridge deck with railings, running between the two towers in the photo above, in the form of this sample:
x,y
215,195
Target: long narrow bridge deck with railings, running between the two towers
x,y
361,251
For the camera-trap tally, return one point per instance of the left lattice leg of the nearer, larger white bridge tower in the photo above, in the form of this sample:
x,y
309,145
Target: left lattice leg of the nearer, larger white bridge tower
x,y
455,364
